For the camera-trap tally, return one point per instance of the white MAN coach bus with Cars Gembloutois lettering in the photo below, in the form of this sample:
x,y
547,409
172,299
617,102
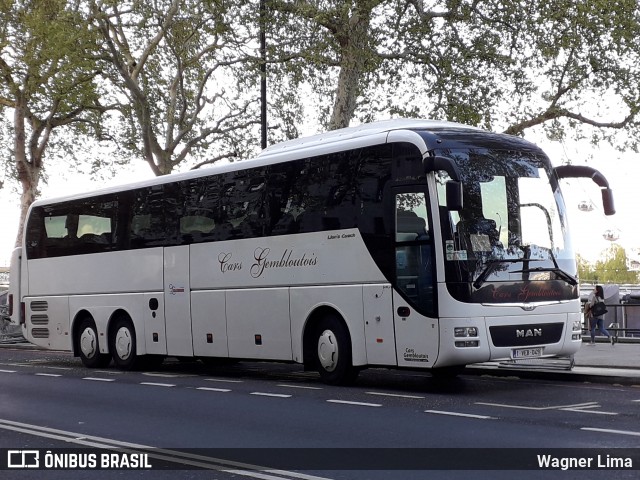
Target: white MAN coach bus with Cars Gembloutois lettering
x,y
407,243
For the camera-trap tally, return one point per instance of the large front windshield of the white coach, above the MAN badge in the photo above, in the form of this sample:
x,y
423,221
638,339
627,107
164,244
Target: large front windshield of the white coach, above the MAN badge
x,y
510,242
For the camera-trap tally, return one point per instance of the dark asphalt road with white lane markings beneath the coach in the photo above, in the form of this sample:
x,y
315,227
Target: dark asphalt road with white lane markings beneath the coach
x,y
48,400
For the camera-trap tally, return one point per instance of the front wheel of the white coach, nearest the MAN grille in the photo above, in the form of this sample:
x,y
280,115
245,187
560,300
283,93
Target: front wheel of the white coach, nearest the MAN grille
x,y
333,352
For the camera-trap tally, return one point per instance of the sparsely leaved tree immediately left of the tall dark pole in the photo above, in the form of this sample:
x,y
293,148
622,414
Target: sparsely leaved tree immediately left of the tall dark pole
x,y
180,66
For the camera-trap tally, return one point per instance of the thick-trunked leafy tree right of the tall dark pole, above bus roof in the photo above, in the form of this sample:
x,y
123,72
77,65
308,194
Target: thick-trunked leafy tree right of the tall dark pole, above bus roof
x,y
568,66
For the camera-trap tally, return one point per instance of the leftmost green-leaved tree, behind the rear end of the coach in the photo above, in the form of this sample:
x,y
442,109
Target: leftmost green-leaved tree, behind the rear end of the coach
x,y
49,80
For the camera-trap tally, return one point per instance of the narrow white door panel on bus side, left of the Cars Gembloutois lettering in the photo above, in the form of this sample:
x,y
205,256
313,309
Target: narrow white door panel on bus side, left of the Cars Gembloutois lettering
x,y
177,302
